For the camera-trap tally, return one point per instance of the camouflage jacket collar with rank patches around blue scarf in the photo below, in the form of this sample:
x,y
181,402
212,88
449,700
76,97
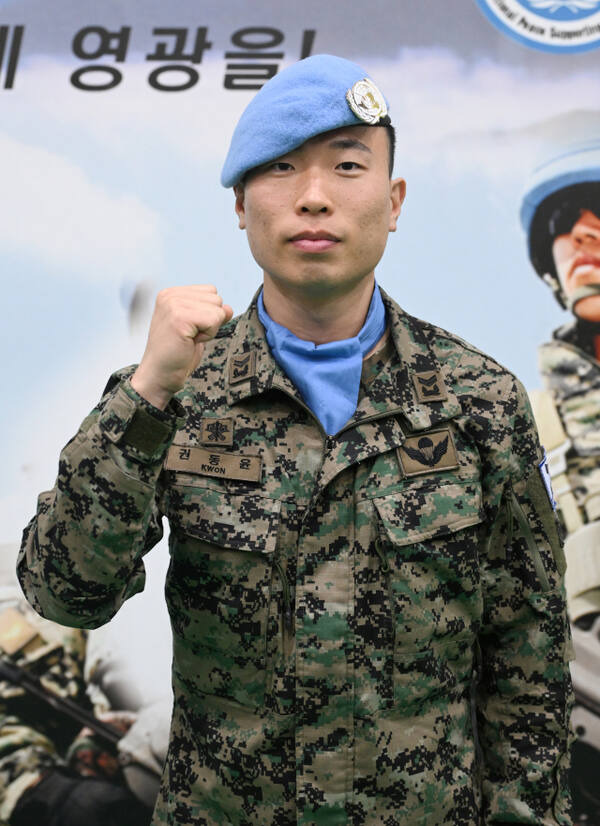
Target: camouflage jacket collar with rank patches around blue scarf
x,y
414,385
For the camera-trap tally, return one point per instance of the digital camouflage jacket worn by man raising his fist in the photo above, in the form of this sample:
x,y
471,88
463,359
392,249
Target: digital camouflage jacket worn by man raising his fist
x,y
331,597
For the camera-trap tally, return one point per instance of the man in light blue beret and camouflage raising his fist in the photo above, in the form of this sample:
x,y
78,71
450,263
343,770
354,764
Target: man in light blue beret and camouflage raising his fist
x,y
364,556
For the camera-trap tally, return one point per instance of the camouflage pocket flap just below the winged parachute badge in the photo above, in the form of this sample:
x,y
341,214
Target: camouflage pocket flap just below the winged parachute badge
x,y
422,513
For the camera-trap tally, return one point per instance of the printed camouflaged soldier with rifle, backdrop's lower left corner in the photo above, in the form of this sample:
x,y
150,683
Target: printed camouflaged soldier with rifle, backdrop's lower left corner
x,y
53,770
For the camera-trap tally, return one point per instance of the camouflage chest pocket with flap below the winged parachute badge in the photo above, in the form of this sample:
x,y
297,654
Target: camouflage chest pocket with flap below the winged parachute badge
x,y
428,549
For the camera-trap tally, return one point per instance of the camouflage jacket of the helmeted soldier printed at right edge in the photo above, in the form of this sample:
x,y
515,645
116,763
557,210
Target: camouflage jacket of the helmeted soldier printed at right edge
x,y
572,375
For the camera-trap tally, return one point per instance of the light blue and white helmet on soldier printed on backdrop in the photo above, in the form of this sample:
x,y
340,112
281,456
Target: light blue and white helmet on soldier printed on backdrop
x,y
576,163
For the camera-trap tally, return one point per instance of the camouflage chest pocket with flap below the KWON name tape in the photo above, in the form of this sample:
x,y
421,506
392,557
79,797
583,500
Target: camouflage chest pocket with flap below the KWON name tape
x,y
219,591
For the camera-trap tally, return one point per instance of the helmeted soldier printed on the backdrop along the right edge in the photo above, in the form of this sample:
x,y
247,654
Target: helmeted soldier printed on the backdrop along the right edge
x,y
560,214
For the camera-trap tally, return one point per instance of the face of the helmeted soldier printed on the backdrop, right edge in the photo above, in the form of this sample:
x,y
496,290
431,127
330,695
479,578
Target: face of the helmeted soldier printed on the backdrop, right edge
x,y
577,261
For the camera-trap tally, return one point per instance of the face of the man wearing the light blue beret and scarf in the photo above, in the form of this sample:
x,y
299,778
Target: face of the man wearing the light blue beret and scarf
x,y
318,218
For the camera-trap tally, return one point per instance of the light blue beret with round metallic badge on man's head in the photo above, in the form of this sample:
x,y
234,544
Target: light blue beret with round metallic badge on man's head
x,y
304,100
